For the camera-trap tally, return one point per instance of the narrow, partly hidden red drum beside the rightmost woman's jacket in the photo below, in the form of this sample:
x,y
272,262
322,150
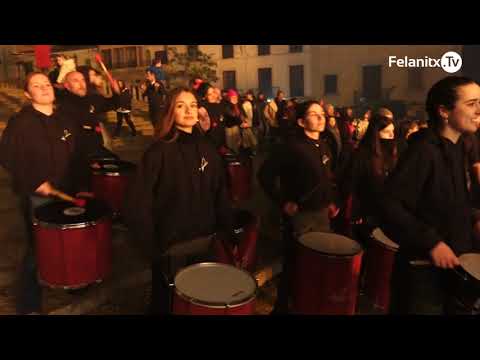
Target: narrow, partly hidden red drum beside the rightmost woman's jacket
x,y
379,261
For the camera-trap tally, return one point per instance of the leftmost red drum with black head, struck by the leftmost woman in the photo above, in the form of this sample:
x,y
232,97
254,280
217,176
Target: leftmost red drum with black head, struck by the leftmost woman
x,y
73,244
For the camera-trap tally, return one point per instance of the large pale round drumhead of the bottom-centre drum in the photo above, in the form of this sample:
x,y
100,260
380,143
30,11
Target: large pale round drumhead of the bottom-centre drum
x,y
215,284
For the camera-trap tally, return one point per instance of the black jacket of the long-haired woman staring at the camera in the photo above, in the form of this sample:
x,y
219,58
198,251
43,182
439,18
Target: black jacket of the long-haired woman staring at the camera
x,y
171,200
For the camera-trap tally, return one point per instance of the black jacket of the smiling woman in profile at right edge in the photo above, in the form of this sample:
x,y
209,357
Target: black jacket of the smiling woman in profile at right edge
x,y
426,197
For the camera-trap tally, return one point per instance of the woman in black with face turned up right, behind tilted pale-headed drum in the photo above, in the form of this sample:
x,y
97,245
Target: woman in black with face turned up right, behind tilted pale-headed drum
x,y
307,202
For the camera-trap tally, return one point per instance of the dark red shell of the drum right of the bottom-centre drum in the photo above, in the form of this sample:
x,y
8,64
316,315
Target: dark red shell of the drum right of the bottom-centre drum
x,y
324,284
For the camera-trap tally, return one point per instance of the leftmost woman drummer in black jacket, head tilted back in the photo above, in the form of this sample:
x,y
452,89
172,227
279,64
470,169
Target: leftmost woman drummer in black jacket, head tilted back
x,y
39,148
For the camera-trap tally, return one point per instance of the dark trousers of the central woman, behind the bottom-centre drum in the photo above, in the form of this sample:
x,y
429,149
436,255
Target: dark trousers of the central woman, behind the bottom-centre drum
x,y
165,268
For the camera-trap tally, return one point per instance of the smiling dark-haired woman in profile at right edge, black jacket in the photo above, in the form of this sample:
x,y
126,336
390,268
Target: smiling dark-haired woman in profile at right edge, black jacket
x,y
427,209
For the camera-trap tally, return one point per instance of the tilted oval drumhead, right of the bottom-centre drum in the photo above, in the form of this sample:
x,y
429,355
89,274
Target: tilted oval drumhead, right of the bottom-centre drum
x,y
332,244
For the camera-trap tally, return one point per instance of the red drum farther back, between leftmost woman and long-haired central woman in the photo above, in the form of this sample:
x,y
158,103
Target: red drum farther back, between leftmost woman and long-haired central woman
x,y
110,182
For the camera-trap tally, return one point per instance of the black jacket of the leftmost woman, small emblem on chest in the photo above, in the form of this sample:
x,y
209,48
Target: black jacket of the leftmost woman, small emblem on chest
x,y
36,148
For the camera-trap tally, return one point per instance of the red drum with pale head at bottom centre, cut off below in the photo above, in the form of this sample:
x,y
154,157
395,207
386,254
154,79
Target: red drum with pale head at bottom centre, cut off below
x,y
214,289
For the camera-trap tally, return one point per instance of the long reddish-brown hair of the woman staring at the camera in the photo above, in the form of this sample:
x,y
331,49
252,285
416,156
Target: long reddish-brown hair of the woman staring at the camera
x,y
165,129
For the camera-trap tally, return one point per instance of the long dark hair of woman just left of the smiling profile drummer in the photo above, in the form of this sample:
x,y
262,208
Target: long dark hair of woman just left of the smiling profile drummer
x,y
371,143
